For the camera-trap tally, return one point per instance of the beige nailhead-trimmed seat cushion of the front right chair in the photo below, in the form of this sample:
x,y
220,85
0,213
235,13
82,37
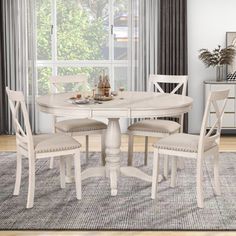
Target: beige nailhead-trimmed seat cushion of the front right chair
x,y
183,142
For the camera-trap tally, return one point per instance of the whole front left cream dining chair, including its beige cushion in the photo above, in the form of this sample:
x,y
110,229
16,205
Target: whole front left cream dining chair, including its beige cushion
x,y
42,146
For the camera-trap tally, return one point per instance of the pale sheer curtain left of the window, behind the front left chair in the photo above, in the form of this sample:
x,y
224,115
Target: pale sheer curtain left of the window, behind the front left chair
x,y
20,51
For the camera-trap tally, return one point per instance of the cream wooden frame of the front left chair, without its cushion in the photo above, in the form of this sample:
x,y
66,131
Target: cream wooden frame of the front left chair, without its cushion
x,y
25,148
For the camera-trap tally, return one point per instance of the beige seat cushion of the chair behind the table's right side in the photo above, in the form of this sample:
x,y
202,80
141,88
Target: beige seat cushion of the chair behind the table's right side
x,y
156,126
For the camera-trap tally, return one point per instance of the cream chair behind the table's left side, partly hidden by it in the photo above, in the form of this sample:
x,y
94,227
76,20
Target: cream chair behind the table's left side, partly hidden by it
x,y
77,127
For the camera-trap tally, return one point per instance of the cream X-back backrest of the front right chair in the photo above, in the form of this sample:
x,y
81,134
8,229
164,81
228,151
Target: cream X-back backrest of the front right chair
x,y
212,134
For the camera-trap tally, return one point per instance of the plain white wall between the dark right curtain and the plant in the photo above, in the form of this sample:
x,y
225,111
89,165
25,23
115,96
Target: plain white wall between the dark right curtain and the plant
x,y
208,22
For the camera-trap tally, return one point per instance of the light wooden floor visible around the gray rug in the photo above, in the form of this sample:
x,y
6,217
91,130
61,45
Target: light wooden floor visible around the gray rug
x,y
7,143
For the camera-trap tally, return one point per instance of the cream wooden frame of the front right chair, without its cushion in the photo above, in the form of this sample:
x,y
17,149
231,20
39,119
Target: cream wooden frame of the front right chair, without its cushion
x,y
213,134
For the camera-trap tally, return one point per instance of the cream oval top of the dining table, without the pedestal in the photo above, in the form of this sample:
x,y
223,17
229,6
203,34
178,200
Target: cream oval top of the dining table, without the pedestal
x,y
134,105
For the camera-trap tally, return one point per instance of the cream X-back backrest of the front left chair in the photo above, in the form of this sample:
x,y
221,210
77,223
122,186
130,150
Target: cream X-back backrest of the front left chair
x,y
17,105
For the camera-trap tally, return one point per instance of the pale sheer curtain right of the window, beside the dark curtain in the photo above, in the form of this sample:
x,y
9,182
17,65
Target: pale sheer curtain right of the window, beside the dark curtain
x,y
143,43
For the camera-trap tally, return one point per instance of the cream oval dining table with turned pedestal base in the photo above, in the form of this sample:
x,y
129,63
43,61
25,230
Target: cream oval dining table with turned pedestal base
x,y
133,105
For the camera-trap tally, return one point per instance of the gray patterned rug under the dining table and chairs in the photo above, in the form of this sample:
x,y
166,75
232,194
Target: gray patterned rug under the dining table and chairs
x,y
131,209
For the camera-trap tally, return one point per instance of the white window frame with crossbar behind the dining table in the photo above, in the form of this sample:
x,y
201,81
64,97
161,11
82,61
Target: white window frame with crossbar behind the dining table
x,y
110,63
